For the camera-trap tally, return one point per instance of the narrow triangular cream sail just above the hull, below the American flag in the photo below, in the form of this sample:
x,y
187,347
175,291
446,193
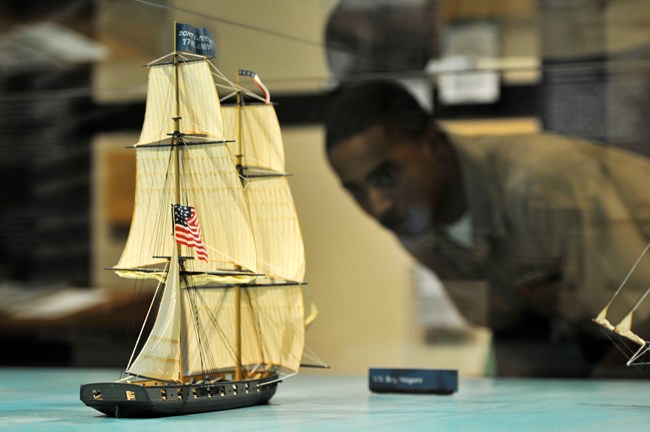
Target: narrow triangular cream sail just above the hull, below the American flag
x,y
161,354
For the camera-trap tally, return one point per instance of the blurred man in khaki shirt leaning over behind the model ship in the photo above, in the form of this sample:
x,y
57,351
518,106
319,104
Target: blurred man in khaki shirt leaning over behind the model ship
x,y
552,223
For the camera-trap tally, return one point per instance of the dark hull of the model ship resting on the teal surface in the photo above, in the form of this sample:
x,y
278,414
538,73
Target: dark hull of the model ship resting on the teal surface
x,y
136,400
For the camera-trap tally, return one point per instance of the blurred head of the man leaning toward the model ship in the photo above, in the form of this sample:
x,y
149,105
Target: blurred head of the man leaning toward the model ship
x,y
389,155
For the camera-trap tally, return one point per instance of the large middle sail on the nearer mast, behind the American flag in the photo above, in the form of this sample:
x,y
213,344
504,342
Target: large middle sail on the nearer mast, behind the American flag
x,y
211,185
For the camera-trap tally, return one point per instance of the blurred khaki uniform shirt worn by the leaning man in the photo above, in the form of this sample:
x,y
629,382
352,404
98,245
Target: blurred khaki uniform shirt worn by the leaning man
x,y
557,224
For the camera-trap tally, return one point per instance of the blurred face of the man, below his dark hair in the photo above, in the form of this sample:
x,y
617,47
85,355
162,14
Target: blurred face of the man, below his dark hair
x,y
396,179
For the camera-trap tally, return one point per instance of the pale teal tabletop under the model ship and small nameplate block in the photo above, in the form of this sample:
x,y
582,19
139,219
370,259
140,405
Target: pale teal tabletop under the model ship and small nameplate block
x,y
48,400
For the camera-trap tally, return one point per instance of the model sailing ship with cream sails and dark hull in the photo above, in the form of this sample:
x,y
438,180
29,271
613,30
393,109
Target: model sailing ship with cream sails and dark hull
x,y
215,224
